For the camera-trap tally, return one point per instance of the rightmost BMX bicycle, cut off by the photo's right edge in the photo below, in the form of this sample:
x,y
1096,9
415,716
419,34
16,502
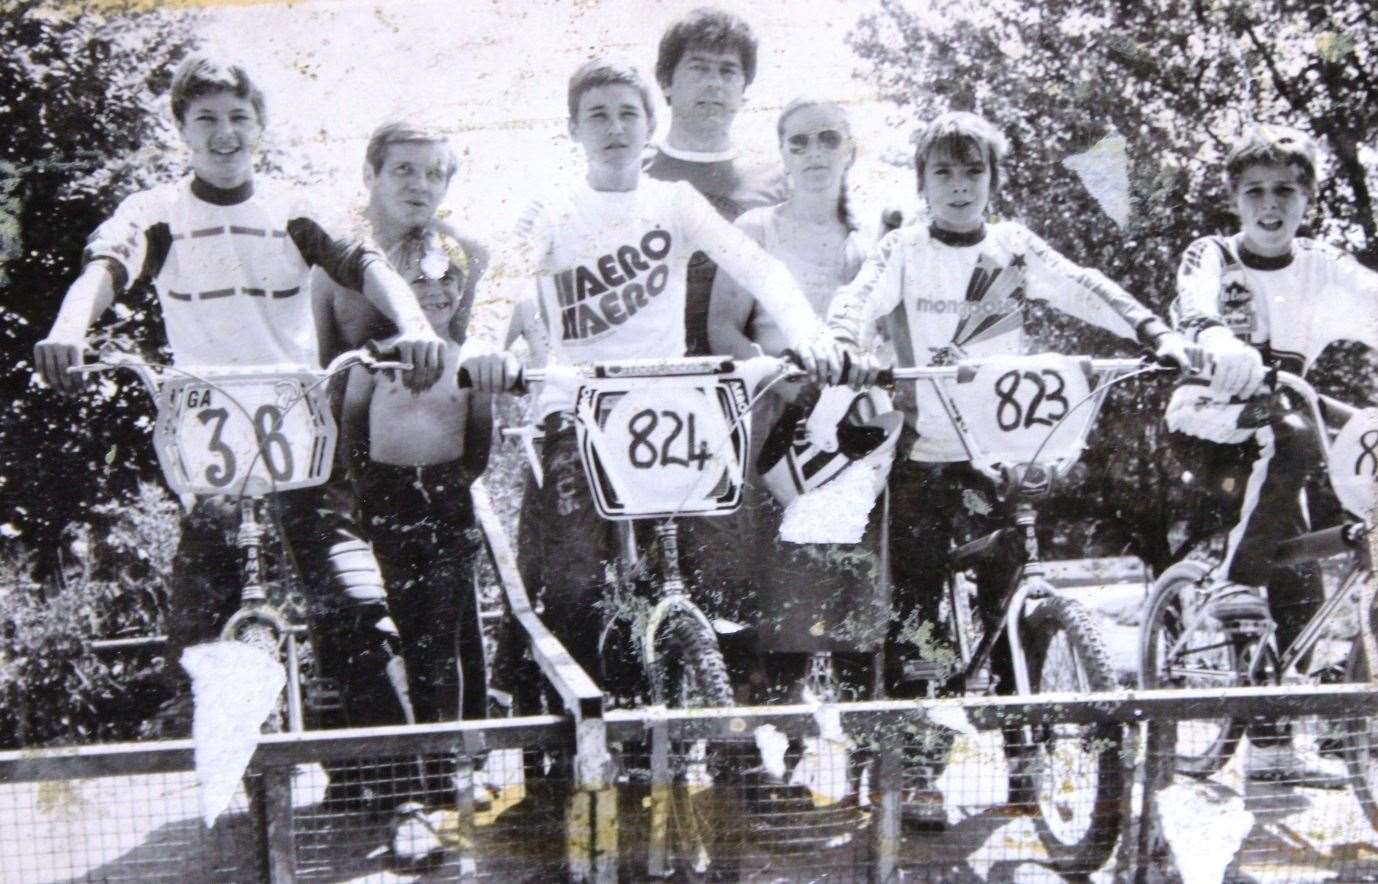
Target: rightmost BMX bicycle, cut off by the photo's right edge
x,y
1202,631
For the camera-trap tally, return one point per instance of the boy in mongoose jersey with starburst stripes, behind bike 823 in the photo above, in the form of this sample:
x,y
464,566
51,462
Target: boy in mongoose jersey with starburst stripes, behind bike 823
x,y
957,288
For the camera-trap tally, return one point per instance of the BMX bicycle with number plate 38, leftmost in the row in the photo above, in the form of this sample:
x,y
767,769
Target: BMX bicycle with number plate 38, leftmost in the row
x,y
246,433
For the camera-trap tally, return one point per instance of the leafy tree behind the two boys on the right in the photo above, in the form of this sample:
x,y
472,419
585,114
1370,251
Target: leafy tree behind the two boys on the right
x,y
1178,82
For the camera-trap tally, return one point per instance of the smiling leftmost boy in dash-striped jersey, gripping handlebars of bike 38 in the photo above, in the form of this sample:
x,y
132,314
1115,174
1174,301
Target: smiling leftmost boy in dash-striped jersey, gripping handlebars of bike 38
x,y
228,258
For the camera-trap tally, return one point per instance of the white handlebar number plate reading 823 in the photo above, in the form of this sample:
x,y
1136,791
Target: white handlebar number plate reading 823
x,y
1011,410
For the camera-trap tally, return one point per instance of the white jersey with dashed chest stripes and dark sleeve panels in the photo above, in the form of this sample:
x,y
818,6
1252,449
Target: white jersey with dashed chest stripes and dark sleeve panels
x,y
229,268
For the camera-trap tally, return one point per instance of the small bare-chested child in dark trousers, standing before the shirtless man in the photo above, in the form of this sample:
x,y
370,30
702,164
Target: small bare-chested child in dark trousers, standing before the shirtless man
x,y
424,451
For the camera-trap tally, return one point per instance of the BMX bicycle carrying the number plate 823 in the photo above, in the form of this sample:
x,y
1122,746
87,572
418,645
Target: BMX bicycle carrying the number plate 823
x,y
1025,422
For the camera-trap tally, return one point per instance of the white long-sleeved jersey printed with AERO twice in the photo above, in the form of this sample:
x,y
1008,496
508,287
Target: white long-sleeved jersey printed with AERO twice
x,y
611,273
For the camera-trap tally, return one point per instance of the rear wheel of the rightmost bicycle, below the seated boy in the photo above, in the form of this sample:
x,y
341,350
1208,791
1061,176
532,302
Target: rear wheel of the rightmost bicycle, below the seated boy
x,y
1176,598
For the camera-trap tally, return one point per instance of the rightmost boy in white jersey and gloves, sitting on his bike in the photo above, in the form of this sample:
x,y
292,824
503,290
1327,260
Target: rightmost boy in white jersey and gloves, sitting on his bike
x,y
1271,299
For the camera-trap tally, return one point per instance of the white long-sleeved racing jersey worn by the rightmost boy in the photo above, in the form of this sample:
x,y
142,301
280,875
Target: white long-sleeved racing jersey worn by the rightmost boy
x,y
1292,308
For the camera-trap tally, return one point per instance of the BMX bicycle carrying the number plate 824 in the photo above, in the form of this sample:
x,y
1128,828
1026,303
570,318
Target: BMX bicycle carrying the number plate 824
x,y
662,440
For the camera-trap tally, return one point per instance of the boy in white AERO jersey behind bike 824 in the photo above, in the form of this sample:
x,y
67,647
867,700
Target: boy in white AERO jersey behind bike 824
x,y
610,257
